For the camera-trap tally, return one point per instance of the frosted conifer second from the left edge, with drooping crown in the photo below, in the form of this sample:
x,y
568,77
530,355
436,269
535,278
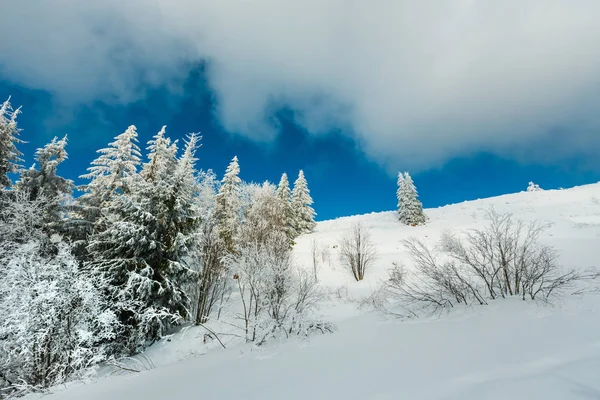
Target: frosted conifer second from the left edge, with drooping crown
x,y
45,181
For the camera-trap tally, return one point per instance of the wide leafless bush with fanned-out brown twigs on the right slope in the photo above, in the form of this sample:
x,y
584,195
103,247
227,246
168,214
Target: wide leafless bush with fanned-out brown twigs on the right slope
x,y
503,259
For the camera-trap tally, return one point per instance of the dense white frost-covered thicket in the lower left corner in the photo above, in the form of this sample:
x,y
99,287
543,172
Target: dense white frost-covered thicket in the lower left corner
x,y
54,320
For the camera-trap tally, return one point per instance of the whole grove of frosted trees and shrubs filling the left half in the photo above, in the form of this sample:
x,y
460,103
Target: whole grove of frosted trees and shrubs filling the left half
x,y
146,247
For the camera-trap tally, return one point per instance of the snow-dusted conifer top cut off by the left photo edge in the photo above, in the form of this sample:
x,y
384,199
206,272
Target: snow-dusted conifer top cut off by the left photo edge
x,y
10,156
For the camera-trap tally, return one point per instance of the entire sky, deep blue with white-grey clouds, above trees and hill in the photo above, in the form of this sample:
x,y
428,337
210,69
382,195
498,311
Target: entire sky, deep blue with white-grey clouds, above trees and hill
x,y
471,106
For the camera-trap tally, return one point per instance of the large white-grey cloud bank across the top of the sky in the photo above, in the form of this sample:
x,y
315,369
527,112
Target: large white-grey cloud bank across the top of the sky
x,y
415,82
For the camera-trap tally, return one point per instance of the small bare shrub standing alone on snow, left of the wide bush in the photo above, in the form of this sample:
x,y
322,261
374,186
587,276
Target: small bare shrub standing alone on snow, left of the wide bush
x,y
357,252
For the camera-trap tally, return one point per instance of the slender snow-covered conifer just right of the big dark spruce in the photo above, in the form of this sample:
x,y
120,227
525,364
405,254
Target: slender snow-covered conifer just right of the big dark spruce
x,y
228,204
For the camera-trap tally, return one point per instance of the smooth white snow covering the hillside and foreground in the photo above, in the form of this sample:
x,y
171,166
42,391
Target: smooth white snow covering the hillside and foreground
x,y
508,349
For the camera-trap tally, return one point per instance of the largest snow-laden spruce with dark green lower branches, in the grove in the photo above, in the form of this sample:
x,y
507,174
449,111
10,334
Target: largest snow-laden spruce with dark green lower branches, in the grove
x,y
142,249
